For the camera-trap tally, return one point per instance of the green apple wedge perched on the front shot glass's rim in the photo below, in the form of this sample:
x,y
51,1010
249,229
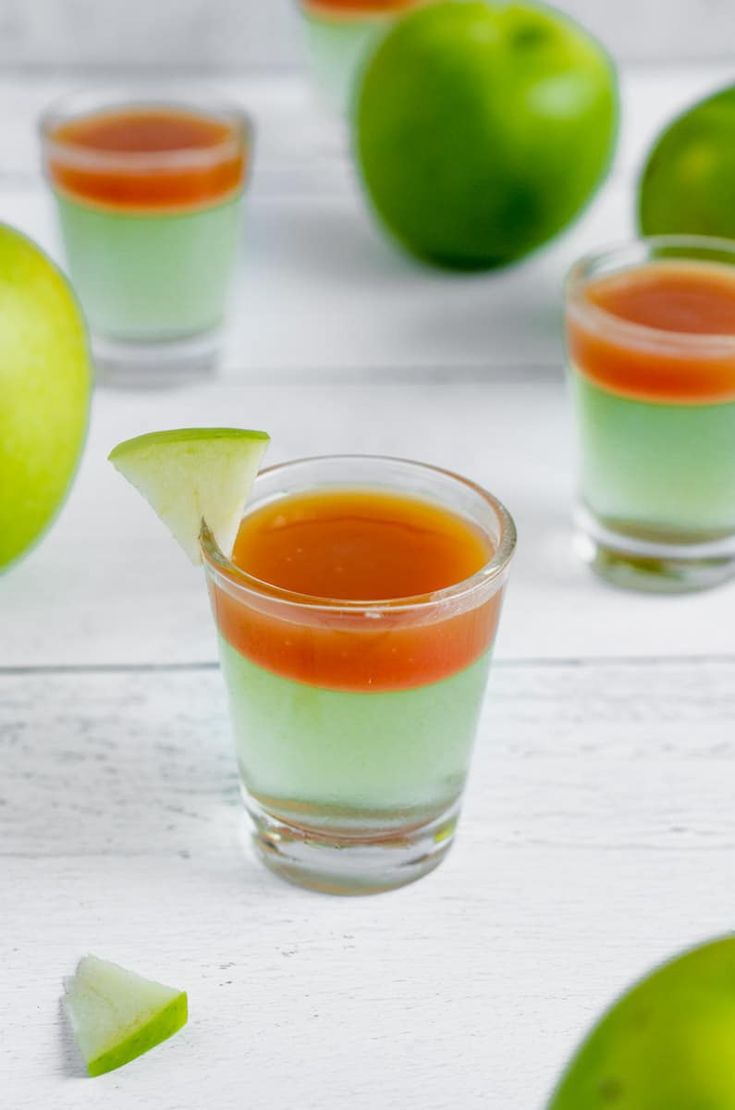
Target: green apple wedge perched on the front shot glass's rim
x,y
194,477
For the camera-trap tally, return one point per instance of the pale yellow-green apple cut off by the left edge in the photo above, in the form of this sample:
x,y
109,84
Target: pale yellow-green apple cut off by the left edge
x,y
46,382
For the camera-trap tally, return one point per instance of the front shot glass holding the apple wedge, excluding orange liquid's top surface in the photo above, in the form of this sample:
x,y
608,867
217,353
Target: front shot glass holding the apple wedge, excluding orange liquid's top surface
x,y
355,721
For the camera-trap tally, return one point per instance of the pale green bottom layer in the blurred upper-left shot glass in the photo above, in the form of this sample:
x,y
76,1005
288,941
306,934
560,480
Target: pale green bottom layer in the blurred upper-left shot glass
x,y
148,278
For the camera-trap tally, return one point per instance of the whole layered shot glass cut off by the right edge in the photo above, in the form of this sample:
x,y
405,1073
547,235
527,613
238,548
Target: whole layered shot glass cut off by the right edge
x,y
651,338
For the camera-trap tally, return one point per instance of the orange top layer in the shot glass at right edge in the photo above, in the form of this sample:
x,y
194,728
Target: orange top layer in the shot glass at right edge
x,y
672,304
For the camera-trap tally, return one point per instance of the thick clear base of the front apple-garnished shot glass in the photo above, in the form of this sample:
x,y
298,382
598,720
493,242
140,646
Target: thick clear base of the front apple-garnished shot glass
x,y
354,865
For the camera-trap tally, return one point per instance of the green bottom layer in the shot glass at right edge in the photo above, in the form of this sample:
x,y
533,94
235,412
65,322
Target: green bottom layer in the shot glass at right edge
x,y
660,472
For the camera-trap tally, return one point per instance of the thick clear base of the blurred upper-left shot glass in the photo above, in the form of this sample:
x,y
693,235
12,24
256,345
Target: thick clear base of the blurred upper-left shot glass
x,y
149,365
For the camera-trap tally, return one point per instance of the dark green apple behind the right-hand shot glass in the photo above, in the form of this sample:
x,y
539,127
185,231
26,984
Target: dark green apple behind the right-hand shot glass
x,y
689,183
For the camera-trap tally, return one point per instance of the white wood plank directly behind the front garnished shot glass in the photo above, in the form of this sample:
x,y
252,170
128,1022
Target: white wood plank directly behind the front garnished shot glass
x,y
108,586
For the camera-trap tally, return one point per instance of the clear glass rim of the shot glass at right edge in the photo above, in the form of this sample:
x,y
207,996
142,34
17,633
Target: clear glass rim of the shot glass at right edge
x,y
582,273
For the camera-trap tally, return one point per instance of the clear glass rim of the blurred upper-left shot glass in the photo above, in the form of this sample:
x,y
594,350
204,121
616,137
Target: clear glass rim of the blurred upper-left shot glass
x,y
106,99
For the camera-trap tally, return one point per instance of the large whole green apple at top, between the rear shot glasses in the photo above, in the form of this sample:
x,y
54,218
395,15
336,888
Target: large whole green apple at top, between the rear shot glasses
x,y
482,129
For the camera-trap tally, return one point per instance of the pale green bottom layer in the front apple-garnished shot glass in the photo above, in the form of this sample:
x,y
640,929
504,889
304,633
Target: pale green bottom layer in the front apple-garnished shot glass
x,y
331,760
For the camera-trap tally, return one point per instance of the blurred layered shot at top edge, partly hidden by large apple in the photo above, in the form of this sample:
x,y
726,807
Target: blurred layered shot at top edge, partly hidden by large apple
x,y
340,36
